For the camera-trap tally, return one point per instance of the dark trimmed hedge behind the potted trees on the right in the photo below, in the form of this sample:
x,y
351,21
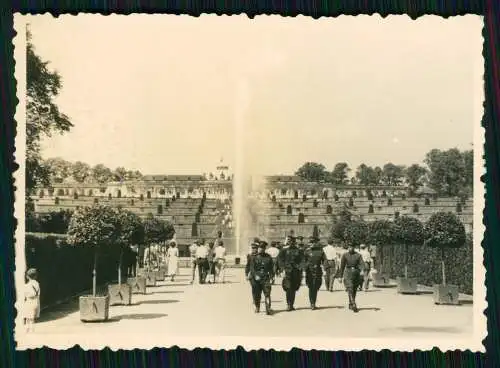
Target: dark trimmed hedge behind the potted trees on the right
x,y
424,264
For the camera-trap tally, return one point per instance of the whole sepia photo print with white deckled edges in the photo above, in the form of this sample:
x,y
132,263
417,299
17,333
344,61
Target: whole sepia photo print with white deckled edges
x,y
269,183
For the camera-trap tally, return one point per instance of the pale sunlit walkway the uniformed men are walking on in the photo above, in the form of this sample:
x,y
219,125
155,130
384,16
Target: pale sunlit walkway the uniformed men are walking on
x,y
180,309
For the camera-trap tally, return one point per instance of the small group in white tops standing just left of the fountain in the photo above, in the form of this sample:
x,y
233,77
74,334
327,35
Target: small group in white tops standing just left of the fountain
x,y
209,259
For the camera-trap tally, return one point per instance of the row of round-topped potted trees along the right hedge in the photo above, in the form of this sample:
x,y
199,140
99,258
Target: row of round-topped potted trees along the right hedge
x,y
442,230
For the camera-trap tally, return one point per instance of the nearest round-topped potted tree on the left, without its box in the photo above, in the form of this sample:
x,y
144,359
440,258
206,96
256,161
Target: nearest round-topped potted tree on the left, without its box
x,y
95,227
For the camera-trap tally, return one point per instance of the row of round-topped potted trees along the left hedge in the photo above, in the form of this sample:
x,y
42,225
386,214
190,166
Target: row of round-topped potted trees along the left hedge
x,y
101,227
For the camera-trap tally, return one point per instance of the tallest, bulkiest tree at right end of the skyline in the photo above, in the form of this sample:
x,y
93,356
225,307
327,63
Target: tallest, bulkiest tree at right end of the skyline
x,y
448,172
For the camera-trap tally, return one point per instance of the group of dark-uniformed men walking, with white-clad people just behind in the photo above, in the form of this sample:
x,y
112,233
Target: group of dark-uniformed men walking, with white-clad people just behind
x,y
295,258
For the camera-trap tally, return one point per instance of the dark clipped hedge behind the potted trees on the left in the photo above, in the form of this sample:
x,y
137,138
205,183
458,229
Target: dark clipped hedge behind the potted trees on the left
x,y
65,270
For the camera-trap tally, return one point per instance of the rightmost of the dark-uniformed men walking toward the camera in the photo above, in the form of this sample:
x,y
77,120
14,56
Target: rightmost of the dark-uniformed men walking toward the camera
x,y
350,268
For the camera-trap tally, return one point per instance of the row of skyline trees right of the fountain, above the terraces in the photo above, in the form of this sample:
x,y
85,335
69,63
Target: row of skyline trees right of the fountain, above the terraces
x,y
449,173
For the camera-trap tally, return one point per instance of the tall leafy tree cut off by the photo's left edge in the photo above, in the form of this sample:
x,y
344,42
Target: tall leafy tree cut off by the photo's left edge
x,y
43,117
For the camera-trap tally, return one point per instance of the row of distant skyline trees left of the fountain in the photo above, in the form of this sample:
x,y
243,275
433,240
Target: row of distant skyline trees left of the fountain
x,y
59,170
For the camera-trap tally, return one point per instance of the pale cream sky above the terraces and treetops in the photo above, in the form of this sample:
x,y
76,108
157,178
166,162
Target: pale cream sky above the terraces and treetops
x,y
168,94
